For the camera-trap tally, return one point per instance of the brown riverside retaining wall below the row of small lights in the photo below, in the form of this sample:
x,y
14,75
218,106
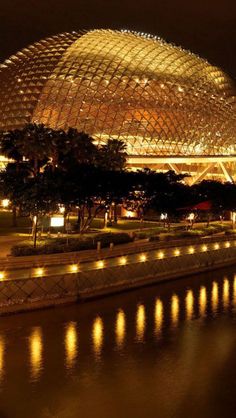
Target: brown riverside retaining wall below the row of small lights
x,y
38,292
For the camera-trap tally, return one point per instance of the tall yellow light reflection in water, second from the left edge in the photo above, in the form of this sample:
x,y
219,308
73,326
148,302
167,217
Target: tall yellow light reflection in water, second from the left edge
x,y
36,350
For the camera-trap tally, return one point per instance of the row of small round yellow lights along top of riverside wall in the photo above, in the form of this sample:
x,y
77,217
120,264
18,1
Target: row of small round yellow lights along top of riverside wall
x,y
100,264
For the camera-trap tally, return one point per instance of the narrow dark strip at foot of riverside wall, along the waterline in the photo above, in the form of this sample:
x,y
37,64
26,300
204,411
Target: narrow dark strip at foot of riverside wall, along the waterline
x,y
110,290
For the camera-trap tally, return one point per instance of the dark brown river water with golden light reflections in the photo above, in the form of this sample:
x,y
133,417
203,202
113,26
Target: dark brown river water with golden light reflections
x,y
166,351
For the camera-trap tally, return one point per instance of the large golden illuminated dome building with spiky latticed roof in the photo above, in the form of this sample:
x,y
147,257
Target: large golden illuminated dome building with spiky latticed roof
x,y
172,109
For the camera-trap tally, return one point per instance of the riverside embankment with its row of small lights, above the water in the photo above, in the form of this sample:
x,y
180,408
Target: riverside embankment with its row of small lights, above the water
x,y
41,281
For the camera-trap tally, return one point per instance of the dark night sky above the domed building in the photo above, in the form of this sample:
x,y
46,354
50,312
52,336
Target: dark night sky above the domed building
x,y
206,27
